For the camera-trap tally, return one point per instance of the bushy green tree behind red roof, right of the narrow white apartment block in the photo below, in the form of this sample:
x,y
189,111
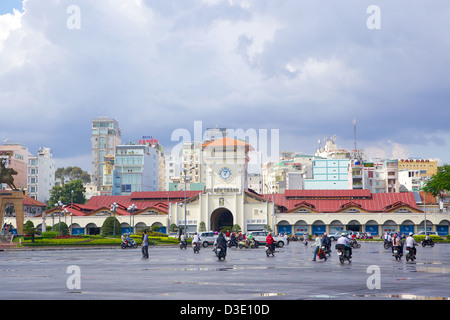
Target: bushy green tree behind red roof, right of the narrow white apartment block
x,y
64,193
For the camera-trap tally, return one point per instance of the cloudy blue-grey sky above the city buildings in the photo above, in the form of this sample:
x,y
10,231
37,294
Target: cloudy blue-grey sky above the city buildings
x,y
304,68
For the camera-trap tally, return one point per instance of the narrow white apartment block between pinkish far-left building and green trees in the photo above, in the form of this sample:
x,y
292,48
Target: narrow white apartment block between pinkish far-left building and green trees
x,y
41,175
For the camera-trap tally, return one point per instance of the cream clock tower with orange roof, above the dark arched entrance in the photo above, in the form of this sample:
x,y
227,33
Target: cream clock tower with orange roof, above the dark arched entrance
x,y
226,165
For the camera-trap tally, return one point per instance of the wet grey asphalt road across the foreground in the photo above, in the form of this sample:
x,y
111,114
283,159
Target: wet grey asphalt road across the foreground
x,y
174,274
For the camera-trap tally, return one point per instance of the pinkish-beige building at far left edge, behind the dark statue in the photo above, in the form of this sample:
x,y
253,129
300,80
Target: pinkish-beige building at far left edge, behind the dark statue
x,y
16,156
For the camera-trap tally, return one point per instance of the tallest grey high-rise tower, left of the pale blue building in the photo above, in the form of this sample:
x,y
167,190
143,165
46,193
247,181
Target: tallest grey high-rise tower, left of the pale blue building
x,y
106,136
